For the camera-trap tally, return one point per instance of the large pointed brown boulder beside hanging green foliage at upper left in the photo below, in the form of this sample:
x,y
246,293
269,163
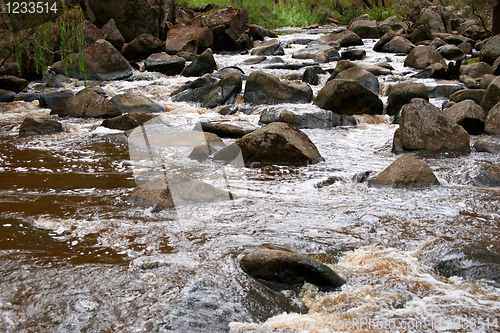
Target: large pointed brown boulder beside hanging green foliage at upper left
x,y
102,62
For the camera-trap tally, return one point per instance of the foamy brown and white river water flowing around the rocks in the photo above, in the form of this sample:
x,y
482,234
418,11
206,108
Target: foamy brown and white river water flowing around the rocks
x,y
76,257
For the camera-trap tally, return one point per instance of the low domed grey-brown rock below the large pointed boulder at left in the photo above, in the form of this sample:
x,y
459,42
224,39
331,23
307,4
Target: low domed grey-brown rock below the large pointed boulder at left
x,y
87,105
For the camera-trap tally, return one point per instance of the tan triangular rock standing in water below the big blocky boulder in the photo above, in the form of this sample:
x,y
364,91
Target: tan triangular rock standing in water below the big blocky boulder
x,y
406,171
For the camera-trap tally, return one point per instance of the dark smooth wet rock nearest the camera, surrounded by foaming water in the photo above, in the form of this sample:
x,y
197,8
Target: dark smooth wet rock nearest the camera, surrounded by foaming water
x,y
288,270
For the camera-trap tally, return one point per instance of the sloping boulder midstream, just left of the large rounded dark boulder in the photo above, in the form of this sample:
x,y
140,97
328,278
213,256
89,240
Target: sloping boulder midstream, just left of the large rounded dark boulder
x,y
263,88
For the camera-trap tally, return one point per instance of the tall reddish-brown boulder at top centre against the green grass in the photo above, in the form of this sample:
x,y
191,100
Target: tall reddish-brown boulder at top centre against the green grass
x,y
229,26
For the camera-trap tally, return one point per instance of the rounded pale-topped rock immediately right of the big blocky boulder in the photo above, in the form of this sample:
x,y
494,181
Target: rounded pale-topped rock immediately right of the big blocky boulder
x,y
469,115
